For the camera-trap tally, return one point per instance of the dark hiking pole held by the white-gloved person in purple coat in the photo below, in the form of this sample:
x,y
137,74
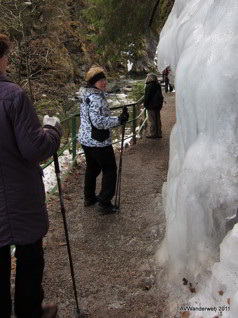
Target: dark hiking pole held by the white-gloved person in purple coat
x,y
57,172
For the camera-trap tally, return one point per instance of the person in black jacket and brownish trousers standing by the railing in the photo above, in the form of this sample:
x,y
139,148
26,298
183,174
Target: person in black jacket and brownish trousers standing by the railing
x,y
153,102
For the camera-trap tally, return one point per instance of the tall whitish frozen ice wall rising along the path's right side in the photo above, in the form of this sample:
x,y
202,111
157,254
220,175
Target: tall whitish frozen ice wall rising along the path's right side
x,y
200,43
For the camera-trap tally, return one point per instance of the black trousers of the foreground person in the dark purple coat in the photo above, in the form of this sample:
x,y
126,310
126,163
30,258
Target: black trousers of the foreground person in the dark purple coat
x,y
29,272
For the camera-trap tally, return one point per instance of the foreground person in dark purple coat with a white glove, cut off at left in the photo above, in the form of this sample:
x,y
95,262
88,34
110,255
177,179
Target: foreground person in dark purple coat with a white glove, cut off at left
x,y
23,215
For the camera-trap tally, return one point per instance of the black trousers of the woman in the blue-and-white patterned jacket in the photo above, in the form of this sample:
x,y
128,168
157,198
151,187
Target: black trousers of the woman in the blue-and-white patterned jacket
x,y
100,159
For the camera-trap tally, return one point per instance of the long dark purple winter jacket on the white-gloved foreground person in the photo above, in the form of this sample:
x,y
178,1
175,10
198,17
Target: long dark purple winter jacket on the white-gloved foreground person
x,y
23,144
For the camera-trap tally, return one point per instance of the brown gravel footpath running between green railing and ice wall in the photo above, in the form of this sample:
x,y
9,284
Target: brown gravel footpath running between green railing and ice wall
x,y
116,273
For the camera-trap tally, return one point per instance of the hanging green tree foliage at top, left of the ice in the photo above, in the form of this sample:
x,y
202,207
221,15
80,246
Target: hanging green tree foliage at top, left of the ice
x,y
121,27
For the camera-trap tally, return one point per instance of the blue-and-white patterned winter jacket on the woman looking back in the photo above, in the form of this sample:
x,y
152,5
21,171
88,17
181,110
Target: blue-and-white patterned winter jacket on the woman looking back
x,y
98,110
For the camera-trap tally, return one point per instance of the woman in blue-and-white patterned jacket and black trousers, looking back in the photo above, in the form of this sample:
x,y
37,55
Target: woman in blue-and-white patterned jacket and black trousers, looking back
x,y
95,137
